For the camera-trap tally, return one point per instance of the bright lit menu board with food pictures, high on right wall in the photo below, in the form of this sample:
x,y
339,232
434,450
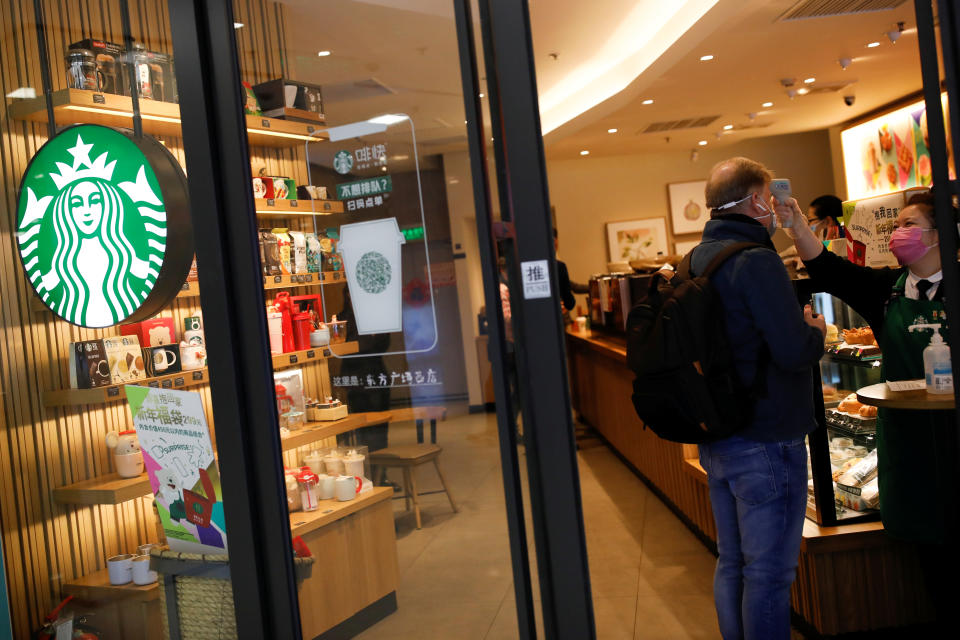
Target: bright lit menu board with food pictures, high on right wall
x,y
889,153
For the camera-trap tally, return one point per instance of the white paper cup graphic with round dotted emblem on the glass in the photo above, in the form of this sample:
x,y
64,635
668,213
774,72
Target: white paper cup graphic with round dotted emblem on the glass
x,y
371,258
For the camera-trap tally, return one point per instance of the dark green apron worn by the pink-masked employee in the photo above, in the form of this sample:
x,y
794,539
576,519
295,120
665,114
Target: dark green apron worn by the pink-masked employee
x,y
915,449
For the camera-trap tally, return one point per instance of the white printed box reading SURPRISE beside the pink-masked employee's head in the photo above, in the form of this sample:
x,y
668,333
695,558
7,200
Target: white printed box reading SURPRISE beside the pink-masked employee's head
x,y
868,223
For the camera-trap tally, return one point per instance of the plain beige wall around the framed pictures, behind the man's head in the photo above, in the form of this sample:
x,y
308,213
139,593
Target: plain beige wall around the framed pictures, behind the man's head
x,y
590,191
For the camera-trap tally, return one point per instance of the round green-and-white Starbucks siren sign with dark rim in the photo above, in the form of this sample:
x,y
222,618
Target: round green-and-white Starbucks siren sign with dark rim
x,y
103,226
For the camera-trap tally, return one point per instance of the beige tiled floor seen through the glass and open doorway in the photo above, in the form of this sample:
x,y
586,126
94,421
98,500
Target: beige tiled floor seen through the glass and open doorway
x,y
651,577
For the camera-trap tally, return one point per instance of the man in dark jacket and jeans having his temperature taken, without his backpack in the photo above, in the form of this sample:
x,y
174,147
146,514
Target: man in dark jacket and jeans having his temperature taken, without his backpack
x,y
758,475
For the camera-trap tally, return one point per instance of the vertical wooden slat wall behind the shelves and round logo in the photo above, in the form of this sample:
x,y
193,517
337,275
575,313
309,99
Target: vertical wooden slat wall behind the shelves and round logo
x,y
47,544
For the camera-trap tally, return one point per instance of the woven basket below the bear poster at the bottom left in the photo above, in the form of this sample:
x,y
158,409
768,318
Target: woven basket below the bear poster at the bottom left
x,y
203,609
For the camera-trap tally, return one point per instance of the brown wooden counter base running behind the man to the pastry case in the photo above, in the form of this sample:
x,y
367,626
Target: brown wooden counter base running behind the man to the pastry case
x,y
850,578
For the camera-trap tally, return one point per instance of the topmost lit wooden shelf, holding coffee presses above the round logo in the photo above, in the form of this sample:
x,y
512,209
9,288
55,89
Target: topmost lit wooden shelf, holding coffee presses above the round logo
x,y
159,118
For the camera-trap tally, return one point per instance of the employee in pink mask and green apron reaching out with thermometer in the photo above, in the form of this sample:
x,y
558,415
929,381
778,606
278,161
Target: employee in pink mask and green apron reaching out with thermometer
x,y
917,450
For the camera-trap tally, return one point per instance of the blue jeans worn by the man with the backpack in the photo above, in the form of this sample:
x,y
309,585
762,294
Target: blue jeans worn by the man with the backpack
x,y
759,496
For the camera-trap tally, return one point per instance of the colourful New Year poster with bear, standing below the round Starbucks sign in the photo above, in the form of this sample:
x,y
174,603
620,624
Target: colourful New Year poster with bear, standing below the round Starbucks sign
x,y
178,456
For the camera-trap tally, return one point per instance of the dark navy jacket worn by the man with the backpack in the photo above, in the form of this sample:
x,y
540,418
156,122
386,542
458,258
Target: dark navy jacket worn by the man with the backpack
x,y
760,307
